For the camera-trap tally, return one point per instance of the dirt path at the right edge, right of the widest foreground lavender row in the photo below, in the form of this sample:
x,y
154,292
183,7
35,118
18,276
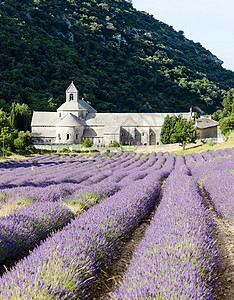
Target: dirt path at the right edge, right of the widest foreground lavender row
x,y
224,237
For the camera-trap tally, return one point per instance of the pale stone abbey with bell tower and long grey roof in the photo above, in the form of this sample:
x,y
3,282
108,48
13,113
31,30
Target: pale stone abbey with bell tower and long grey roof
x,y
76,120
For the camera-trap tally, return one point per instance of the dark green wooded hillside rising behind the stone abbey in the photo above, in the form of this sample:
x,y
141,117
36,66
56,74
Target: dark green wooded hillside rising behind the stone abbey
x,y
121,59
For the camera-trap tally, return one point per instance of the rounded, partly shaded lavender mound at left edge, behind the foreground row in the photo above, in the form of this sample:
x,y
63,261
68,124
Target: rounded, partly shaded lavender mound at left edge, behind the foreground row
x,y
23,230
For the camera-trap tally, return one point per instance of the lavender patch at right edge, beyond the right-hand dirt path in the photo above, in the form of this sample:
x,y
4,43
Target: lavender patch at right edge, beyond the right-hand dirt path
x,y
215,177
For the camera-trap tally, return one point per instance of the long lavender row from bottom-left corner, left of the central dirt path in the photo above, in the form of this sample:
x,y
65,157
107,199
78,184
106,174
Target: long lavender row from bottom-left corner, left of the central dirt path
x,y
67,263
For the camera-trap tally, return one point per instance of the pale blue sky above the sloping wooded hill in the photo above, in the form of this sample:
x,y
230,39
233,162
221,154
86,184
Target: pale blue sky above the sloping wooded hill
x,y
209,22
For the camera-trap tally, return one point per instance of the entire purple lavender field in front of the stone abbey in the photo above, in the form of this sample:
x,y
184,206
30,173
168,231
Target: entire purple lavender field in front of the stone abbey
x,y
65,220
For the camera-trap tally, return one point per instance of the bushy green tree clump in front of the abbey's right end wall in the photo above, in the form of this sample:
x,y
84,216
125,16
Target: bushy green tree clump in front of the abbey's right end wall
x,y
178,130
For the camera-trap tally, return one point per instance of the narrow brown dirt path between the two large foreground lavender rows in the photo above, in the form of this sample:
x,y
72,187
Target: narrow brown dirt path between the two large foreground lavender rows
x,y
111,275
